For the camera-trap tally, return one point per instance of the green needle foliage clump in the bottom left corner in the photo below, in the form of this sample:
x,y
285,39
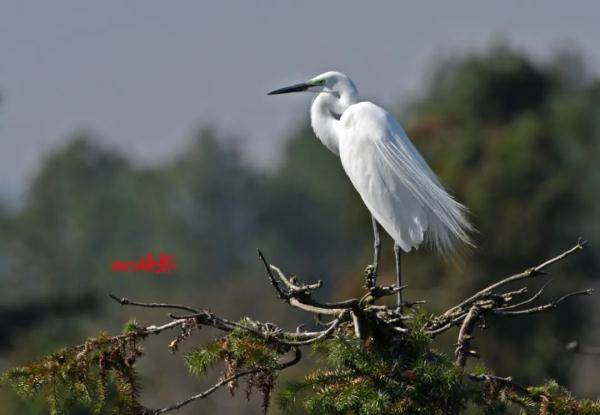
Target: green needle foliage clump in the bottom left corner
x,y
98,375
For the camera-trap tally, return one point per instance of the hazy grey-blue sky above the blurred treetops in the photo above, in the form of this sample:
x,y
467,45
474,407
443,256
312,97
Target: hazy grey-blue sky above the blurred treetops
x,y
145,74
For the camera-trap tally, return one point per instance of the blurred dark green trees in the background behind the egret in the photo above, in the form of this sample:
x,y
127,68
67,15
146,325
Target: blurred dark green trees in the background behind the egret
x,y
516,140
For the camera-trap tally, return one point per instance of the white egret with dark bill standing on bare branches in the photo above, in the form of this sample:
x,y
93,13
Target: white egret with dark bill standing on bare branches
x,y
400,190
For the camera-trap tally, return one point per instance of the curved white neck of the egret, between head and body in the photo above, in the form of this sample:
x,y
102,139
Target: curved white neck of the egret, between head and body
x,y
326,111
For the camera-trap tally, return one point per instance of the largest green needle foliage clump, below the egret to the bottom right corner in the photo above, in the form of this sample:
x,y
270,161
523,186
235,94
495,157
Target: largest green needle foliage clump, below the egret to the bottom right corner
x,y
409,377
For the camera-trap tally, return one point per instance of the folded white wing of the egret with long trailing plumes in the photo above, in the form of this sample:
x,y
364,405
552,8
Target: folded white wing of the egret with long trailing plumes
x,y
395,182
